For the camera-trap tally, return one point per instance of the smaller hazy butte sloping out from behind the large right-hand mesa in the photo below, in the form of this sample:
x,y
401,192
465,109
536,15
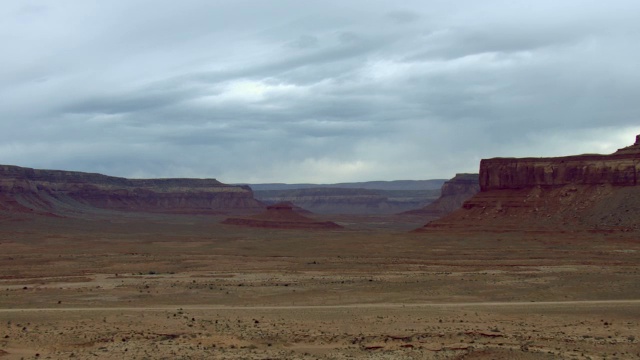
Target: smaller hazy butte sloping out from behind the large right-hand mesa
x,y
454,193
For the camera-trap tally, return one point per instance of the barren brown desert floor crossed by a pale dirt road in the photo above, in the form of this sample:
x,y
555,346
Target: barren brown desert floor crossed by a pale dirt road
x,y
188,287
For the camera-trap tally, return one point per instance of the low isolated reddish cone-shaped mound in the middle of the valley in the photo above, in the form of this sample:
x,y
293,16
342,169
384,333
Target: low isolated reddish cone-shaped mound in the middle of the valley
x,y
281,216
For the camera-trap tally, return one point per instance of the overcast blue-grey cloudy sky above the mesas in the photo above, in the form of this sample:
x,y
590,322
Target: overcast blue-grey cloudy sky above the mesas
x,y
256,91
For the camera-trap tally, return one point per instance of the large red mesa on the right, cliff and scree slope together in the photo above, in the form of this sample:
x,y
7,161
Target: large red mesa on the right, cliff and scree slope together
x,y
592,192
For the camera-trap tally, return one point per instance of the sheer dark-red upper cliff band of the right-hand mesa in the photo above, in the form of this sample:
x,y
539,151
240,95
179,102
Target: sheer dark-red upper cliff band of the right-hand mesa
x,y
621,168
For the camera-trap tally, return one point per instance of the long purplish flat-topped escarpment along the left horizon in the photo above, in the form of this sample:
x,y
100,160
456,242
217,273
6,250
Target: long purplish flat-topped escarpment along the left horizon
x,y
53,192
